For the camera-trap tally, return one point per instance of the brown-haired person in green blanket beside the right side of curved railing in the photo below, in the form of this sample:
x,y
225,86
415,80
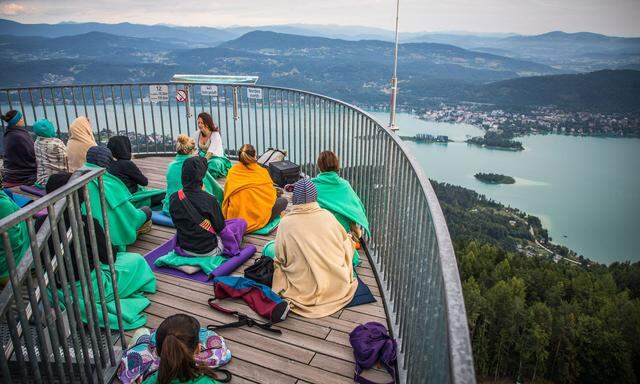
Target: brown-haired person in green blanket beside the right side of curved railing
x,y
336,195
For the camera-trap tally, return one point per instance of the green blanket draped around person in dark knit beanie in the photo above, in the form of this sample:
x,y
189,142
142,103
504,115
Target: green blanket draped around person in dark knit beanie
x,y
124,218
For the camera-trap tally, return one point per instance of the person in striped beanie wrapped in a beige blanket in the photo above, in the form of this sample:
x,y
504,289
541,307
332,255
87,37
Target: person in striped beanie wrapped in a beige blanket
x,y
313,267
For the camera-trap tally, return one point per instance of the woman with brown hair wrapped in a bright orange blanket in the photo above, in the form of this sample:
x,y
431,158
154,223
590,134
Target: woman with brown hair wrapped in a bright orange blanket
x,y
249,192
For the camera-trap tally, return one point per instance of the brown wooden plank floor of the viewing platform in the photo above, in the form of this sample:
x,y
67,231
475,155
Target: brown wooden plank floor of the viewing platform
x,y
309,350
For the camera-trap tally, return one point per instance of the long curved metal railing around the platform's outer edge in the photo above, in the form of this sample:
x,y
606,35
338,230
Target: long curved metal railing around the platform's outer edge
x,y
410,247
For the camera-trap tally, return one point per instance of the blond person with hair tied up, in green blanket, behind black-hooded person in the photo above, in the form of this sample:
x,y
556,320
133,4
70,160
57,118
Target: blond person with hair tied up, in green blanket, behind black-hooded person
x,y
185,148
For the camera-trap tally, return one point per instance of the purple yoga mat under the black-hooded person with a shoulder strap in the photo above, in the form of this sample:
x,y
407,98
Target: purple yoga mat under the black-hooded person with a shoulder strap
x,y
170,245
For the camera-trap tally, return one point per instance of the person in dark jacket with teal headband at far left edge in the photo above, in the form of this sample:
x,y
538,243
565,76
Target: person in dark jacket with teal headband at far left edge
x,y
19,157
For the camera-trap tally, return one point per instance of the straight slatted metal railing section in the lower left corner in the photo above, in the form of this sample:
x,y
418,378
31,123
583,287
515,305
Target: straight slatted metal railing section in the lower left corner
x,y
44,338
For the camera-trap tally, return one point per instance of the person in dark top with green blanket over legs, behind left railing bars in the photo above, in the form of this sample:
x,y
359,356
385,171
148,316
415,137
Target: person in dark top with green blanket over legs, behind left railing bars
x,y
134,278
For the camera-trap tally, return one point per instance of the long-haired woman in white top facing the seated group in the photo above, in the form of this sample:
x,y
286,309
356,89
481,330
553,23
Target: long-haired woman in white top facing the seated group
x,y
209,143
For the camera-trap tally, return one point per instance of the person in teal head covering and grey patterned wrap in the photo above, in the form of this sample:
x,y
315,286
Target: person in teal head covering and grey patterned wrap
x,y
51,153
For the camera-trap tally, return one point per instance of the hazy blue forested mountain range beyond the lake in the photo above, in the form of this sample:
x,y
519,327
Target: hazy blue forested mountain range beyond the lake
x,y
353,70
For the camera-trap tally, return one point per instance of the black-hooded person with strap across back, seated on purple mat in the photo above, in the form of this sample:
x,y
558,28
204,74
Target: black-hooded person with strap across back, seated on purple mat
x,y
197,225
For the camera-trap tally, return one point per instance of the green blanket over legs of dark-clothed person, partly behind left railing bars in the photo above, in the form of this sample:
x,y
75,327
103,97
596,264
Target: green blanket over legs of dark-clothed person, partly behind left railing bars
x,y
134,278
